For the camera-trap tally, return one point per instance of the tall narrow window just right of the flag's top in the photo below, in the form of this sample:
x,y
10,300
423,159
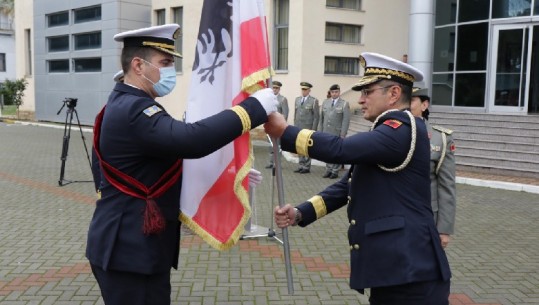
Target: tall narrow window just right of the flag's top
x,y
282,13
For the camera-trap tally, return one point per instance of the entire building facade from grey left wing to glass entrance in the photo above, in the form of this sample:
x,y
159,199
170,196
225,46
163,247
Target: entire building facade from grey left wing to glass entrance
x,y
478,56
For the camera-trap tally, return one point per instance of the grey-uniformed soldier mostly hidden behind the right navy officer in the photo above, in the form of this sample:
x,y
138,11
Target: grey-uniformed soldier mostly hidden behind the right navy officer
x,y
442,168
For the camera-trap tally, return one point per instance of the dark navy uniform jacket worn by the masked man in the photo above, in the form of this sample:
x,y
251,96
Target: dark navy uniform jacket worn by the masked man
x,y
143,142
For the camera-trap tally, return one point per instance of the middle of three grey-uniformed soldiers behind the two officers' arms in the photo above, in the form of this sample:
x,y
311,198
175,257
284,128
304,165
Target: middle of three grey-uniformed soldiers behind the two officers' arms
x,y
306,117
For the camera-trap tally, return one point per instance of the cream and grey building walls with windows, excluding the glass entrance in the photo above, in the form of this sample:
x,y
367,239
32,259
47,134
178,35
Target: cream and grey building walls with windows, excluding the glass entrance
x,y
69,51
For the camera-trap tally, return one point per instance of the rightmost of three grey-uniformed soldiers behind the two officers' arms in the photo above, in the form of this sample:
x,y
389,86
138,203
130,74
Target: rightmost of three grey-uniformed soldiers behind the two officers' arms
x,y
334,119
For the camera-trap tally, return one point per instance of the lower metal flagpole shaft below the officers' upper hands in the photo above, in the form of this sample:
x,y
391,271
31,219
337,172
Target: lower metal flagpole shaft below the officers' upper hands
x,y
280,194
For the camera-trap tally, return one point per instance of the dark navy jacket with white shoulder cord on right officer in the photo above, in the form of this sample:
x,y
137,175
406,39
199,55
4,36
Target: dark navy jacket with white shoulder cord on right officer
x,y
393,239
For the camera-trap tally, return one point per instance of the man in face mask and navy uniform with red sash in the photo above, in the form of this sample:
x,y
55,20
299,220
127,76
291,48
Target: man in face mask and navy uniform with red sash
x,y
134,235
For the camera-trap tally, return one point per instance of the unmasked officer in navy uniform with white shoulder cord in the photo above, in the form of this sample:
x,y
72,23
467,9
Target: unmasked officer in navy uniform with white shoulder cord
x,y
395,248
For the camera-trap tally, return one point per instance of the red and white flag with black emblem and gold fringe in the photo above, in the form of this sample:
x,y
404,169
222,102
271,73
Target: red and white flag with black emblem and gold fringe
x,y
231,61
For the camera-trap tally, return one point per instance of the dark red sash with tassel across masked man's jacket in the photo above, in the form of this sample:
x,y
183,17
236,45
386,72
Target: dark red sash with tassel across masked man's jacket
x,y
154,222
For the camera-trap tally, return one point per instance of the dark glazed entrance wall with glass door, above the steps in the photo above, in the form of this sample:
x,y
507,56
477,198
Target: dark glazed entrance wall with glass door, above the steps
x,y
486,56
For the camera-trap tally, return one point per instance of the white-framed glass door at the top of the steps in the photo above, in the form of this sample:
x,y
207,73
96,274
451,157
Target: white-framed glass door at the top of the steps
x,y
510,62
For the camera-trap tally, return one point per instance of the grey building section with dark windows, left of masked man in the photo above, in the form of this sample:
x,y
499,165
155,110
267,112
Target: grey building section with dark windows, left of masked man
x,y
72,54
